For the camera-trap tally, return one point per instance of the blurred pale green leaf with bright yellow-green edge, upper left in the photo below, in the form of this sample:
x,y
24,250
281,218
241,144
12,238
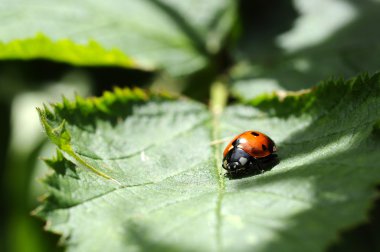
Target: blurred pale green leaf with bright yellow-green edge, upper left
x,y
177,36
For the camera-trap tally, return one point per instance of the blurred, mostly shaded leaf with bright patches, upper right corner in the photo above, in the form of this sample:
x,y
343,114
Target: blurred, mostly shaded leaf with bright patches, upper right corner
x,y
288,52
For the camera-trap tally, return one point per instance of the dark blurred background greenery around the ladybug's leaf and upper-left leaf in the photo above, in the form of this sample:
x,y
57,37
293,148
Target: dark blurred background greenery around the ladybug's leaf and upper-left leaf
x,y
273,45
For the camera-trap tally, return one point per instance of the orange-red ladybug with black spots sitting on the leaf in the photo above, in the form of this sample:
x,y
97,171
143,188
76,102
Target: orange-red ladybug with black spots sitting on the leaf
x,y
249,152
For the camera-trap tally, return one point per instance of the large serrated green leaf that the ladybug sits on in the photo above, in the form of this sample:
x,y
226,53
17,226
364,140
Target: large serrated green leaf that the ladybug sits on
x,y
139,173
